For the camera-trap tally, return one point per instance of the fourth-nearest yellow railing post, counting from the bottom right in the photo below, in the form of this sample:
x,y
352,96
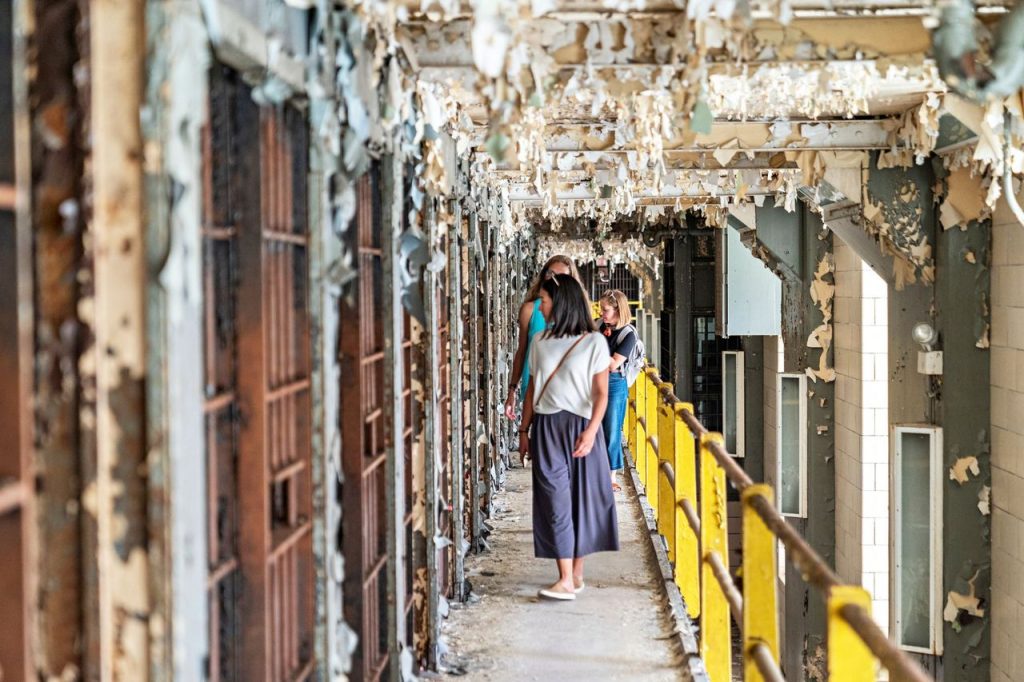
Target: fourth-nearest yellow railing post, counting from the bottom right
x,y
688,542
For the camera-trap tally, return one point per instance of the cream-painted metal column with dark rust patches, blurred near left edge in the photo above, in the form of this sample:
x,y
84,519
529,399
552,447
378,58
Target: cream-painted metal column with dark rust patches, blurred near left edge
x,y
119,503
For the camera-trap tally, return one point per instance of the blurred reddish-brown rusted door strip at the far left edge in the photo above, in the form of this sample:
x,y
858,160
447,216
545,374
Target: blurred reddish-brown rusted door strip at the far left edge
x,y
17,523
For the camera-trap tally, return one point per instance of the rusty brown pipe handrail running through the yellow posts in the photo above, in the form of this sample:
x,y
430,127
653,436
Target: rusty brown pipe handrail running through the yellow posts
x,y
813,568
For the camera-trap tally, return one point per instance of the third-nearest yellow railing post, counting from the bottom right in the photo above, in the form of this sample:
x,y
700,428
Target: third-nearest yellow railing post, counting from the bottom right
x,y
716,647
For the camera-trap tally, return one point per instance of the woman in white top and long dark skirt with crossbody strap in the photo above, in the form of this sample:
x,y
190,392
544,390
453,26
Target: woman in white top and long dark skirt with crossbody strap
x,y
574,505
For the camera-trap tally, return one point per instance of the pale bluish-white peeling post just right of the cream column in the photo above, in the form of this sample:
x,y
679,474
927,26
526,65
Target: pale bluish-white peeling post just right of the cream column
x,y
175,113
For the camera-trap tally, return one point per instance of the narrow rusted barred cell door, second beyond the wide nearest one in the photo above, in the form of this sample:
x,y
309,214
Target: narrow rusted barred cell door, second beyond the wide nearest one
x,y
363,423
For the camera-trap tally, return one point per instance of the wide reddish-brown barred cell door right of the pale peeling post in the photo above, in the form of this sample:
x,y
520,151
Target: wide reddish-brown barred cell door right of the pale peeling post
x,y
259,401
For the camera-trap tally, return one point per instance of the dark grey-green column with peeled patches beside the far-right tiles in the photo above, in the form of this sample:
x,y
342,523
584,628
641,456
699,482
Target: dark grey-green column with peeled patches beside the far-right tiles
x,y
962,289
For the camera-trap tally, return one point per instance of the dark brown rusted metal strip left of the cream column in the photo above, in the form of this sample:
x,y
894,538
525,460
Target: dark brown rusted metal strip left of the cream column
x,y
60,120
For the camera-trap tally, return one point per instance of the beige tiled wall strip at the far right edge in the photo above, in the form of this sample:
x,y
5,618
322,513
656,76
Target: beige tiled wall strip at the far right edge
x,y
1007,395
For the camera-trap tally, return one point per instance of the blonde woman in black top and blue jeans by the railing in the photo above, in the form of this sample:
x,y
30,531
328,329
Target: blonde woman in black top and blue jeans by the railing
x,y
622,338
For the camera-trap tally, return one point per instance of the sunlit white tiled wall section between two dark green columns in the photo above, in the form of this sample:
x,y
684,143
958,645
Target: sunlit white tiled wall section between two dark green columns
x,y
862,430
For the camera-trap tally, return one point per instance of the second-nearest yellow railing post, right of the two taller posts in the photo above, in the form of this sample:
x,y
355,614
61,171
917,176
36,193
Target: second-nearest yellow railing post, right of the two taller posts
x,y
760,611
